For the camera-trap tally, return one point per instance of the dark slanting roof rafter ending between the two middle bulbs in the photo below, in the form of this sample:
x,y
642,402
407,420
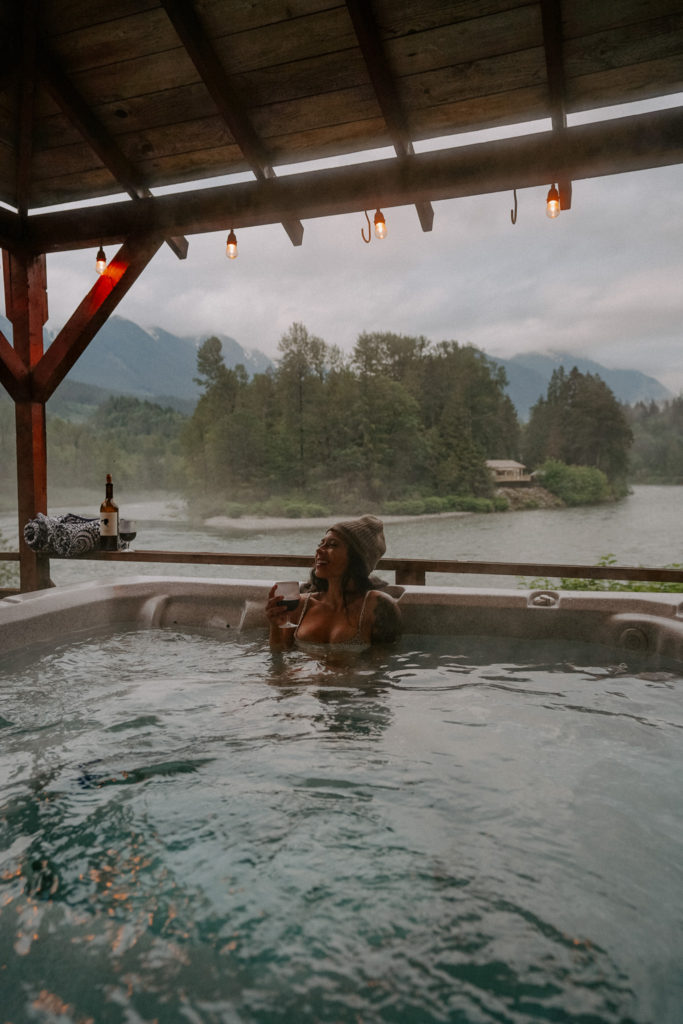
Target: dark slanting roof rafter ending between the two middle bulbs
x,y
203,56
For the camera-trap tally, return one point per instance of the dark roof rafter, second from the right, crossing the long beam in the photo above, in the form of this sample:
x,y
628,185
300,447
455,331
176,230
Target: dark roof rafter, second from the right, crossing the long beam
x,y
370,41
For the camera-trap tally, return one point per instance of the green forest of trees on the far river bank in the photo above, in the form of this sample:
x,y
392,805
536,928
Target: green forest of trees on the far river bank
x,y
400,424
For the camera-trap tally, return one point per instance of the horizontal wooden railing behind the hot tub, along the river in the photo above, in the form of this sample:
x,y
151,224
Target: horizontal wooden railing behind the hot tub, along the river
x,y
408,571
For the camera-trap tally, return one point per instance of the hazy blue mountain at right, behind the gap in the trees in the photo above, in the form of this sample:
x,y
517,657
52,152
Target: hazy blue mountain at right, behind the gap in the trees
x,y
529,375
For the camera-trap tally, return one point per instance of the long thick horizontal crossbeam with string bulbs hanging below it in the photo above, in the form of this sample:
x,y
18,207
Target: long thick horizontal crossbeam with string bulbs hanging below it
x,y
623,145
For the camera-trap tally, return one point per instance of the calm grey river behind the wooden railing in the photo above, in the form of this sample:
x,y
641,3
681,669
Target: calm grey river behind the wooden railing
x,y
643,530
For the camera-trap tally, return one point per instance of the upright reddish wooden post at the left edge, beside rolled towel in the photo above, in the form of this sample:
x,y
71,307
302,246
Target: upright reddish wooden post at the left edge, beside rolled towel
x,y
26,302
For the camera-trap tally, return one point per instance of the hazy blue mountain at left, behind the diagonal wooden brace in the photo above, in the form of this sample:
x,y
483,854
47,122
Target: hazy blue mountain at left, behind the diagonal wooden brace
x,y
123,358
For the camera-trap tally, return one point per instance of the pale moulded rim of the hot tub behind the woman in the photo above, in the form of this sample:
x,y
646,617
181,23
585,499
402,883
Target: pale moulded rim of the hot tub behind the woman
x,y
647,623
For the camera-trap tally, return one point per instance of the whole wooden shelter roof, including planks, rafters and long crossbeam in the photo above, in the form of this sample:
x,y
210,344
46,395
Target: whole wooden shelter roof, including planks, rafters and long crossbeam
x,y
103,99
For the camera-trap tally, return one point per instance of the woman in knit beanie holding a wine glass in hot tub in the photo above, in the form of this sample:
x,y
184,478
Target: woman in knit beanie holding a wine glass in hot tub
x,y
340,611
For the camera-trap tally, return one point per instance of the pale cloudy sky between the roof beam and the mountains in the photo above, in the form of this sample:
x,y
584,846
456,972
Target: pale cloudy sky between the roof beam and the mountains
x,y
604,281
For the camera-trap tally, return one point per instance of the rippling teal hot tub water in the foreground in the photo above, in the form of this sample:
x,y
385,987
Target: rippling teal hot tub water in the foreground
x,y
467,831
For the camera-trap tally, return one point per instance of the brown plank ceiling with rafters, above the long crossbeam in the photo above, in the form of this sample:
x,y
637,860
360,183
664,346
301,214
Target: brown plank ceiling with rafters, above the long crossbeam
x,y
302,86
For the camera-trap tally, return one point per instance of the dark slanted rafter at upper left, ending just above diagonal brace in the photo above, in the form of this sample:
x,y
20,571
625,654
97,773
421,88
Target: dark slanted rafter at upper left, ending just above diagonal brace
x,y
77,111
